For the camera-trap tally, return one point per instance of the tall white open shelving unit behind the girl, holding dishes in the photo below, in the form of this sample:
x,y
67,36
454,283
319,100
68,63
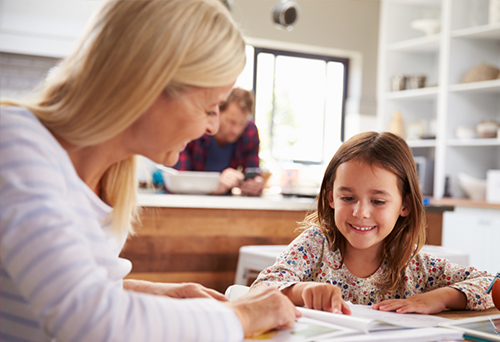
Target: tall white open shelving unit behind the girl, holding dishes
x,y
464,41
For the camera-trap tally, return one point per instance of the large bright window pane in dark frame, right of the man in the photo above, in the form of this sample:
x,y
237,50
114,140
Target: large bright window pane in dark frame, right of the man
x,y
299,109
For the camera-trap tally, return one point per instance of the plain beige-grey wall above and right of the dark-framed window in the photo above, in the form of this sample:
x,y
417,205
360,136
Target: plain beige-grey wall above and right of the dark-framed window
x,y
339,24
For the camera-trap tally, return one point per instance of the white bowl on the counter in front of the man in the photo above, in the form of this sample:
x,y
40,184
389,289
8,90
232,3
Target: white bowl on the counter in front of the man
x,y
191,182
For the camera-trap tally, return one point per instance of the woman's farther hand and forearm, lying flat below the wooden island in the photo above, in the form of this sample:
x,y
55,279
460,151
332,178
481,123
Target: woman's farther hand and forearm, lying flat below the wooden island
x,y
181,290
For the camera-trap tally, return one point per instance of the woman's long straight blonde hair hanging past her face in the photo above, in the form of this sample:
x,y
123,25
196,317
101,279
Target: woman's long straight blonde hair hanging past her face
x,y
131,52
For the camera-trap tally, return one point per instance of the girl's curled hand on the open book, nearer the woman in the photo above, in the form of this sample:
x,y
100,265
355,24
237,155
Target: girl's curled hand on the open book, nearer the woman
x,y
318,296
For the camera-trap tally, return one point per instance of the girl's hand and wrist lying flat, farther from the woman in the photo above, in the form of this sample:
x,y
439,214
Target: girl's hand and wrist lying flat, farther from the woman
x,y
426,303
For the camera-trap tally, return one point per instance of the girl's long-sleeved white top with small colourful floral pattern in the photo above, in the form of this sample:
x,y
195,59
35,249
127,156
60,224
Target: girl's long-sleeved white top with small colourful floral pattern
x,y
309,258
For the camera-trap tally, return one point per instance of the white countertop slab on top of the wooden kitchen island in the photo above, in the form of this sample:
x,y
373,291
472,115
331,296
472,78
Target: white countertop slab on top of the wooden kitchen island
x,y
266,202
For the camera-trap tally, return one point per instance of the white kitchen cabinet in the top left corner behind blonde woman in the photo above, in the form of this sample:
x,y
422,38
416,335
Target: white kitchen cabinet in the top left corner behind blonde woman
x,y
43,28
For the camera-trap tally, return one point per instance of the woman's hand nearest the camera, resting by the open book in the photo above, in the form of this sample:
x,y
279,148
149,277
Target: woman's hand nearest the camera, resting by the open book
x,y
263,309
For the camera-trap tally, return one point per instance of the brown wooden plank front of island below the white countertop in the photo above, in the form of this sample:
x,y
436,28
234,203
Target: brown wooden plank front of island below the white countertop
x,y
202,245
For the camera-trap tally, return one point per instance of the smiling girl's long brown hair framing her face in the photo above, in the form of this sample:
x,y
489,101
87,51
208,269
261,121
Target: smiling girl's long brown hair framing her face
x,y
391,153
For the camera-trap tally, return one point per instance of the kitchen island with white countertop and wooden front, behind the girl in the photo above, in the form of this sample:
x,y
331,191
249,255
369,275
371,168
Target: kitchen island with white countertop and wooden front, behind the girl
x,y
196,238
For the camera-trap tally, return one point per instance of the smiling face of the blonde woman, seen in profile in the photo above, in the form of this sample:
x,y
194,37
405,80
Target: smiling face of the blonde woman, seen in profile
x,y
166,127
